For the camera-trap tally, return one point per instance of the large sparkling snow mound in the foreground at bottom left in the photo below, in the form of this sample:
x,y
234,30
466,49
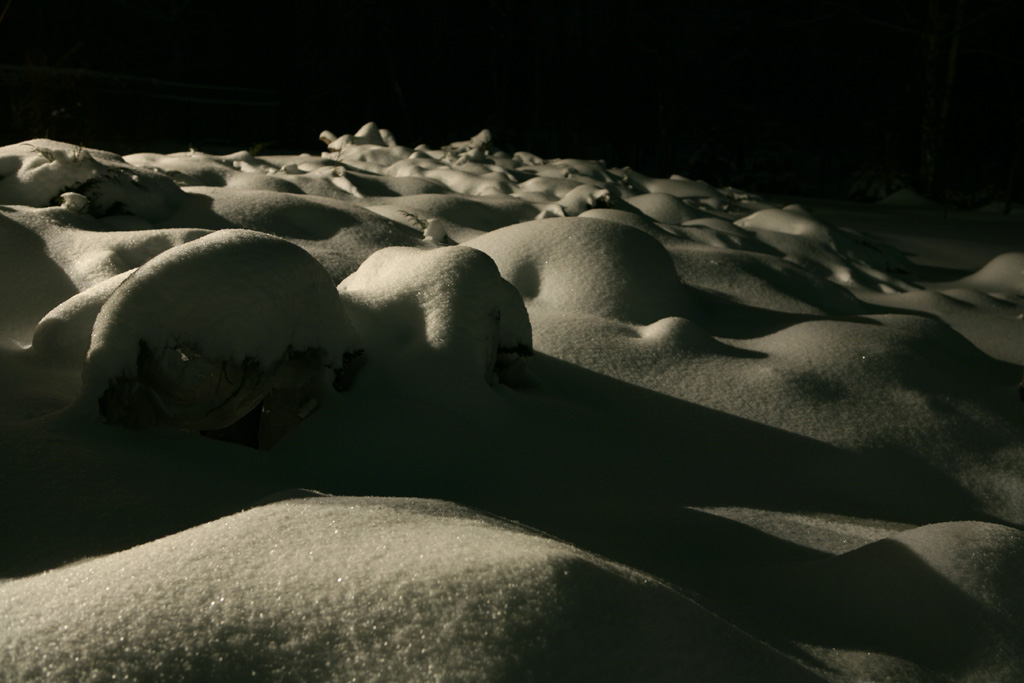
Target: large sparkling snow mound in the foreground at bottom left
x,y
366,589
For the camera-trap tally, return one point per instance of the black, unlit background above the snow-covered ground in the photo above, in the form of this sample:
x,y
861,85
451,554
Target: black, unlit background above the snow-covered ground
x,y
812,97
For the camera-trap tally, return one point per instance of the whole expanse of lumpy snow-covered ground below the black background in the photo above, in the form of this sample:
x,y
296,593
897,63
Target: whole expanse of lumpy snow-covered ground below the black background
x,y
386,413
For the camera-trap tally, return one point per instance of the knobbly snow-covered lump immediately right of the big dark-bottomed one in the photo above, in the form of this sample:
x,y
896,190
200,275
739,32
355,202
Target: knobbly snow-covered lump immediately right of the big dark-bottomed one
x,y
446,308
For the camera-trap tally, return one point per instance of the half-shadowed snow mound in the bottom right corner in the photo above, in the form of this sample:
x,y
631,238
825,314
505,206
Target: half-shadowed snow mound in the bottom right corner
x,y
943,595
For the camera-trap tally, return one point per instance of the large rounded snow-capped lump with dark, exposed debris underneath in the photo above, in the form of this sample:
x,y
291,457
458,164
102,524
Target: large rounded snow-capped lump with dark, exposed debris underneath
x,y
198,336
